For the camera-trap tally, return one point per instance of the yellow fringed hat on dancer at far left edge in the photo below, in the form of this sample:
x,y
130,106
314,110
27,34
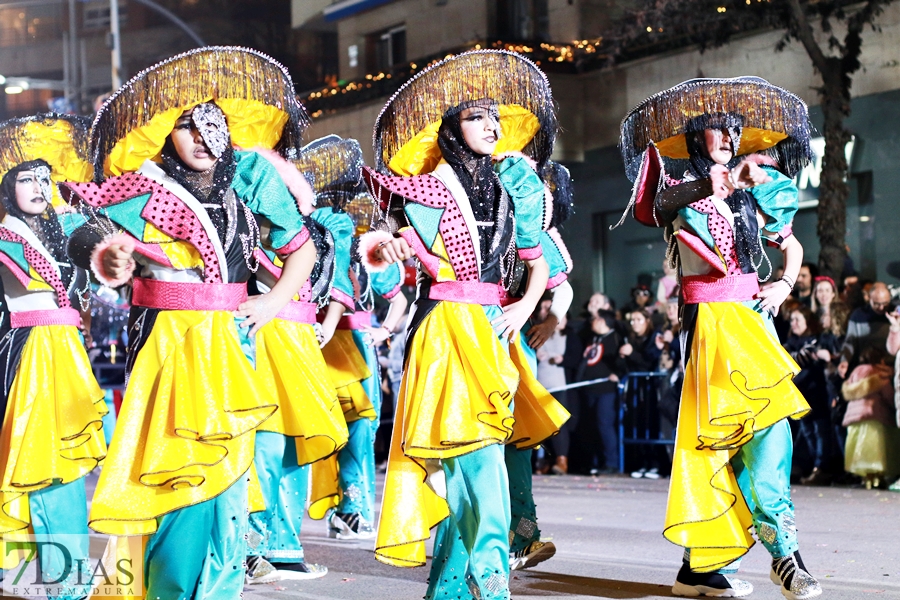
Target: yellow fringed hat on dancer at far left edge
x,y
61,140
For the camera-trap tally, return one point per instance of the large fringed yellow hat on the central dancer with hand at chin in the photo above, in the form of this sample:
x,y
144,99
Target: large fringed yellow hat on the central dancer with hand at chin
x,y
406,130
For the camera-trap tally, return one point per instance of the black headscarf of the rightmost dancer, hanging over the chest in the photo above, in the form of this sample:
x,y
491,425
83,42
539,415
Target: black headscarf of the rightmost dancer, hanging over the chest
x,y
741,202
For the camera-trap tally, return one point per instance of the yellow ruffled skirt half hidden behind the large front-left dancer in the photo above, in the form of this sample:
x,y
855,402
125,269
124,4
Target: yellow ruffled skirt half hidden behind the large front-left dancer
x,y
289,359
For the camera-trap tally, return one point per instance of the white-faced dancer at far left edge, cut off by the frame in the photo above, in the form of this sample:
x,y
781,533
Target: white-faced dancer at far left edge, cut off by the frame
x,y
52,433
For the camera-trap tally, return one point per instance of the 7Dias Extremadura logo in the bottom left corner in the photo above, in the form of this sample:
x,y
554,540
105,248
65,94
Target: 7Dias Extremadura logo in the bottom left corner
x,y
61,566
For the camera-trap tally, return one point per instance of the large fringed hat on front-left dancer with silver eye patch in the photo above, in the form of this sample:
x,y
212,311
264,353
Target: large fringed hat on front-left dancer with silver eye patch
x,y
253,90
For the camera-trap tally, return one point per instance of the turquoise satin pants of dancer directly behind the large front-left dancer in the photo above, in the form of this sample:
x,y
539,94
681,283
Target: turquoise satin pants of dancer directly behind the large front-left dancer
x,y
275,532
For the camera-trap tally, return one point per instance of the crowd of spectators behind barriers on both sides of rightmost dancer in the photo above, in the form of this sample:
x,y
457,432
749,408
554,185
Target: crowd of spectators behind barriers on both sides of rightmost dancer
x,y
845,339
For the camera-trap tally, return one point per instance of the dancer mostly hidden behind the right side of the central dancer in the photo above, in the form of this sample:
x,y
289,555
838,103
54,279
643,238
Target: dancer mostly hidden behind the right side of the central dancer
x,y
526,548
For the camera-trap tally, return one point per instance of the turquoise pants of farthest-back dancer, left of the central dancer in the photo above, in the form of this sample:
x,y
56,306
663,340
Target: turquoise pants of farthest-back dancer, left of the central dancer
x,y
357,458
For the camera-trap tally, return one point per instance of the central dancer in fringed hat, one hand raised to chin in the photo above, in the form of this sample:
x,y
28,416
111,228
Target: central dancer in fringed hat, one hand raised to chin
x,y
466,221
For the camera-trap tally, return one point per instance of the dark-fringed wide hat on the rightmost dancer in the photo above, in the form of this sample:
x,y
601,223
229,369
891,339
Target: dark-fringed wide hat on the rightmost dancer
x,y
770,117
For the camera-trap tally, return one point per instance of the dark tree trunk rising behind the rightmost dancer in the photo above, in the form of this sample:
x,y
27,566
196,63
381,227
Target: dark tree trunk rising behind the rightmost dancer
x,y
833,188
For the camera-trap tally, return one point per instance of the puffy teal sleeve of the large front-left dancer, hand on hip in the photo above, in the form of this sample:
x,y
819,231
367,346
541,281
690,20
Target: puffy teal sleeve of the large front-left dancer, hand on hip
x,y
259,186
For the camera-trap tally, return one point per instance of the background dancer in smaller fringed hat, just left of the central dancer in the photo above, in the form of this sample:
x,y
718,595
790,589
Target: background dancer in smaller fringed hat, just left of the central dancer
x,y
350,353
